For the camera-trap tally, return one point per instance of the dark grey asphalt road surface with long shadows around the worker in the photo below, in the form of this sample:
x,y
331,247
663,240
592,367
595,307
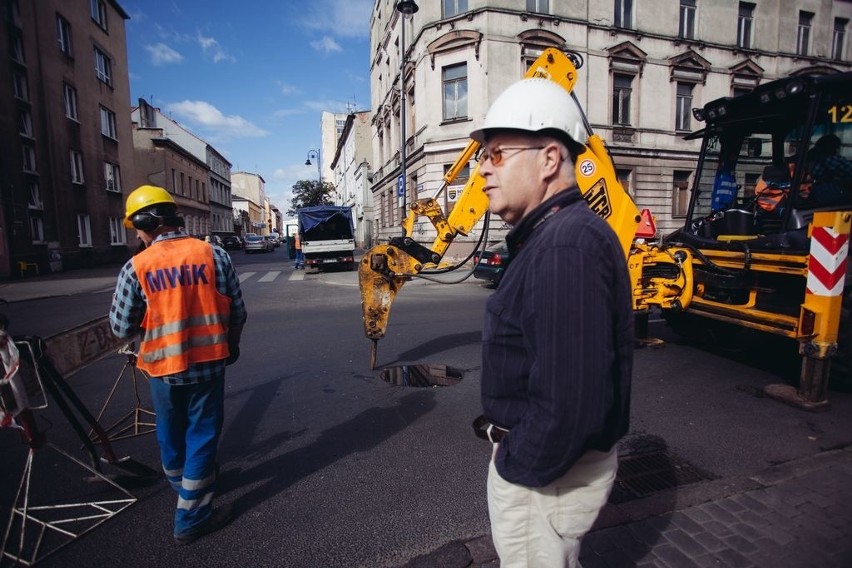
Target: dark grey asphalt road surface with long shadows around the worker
x,y
330,466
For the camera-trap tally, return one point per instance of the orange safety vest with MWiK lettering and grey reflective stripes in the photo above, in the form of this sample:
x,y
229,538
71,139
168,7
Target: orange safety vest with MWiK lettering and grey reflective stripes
x,y
187,318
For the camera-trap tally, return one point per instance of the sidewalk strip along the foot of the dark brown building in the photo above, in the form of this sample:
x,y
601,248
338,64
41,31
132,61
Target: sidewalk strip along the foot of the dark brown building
x,y
65,283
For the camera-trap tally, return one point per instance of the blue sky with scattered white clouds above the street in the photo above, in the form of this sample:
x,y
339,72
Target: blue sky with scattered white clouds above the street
x,y
252,78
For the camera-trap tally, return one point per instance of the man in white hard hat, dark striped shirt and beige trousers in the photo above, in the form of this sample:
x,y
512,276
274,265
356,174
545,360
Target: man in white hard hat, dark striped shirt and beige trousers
x,y
558,334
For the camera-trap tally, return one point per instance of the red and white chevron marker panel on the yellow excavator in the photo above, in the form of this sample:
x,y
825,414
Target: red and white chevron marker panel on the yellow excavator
x,y
827,264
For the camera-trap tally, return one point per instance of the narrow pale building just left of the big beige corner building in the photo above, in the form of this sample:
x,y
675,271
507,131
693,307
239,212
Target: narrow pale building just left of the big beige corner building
x,y
351,170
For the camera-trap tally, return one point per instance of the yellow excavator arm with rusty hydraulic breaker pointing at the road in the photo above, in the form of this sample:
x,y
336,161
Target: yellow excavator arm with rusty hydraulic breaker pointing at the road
x,y
384,269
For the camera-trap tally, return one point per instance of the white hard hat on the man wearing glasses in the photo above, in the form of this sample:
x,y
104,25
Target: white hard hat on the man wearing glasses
x,y
534,105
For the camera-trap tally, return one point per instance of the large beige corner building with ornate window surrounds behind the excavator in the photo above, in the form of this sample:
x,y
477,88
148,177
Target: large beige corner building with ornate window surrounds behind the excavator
x,y
645,65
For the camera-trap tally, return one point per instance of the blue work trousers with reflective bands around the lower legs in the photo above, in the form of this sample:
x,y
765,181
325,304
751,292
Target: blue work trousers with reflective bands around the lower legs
x,y
189,422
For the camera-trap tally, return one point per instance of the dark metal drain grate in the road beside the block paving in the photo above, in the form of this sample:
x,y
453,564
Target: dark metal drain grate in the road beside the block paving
x,y
641,475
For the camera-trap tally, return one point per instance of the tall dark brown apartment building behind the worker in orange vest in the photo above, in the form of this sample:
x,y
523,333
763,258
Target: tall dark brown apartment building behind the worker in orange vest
x,y
65,141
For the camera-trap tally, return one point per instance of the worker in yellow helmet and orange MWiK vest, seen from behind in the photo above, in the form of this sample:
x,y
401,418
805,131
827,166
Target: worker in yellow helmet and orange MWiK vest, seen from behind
x,y
183,296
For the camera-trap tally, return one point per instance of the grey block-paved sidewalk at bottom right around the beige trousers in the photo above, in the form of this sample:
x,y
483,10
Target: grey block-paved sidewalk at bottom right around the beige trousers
x,y
796,514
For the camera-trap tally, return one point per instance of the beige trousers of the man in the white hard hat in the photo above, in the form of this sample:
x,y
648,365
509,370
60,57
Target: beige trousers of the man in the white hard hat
x,y
541,527
